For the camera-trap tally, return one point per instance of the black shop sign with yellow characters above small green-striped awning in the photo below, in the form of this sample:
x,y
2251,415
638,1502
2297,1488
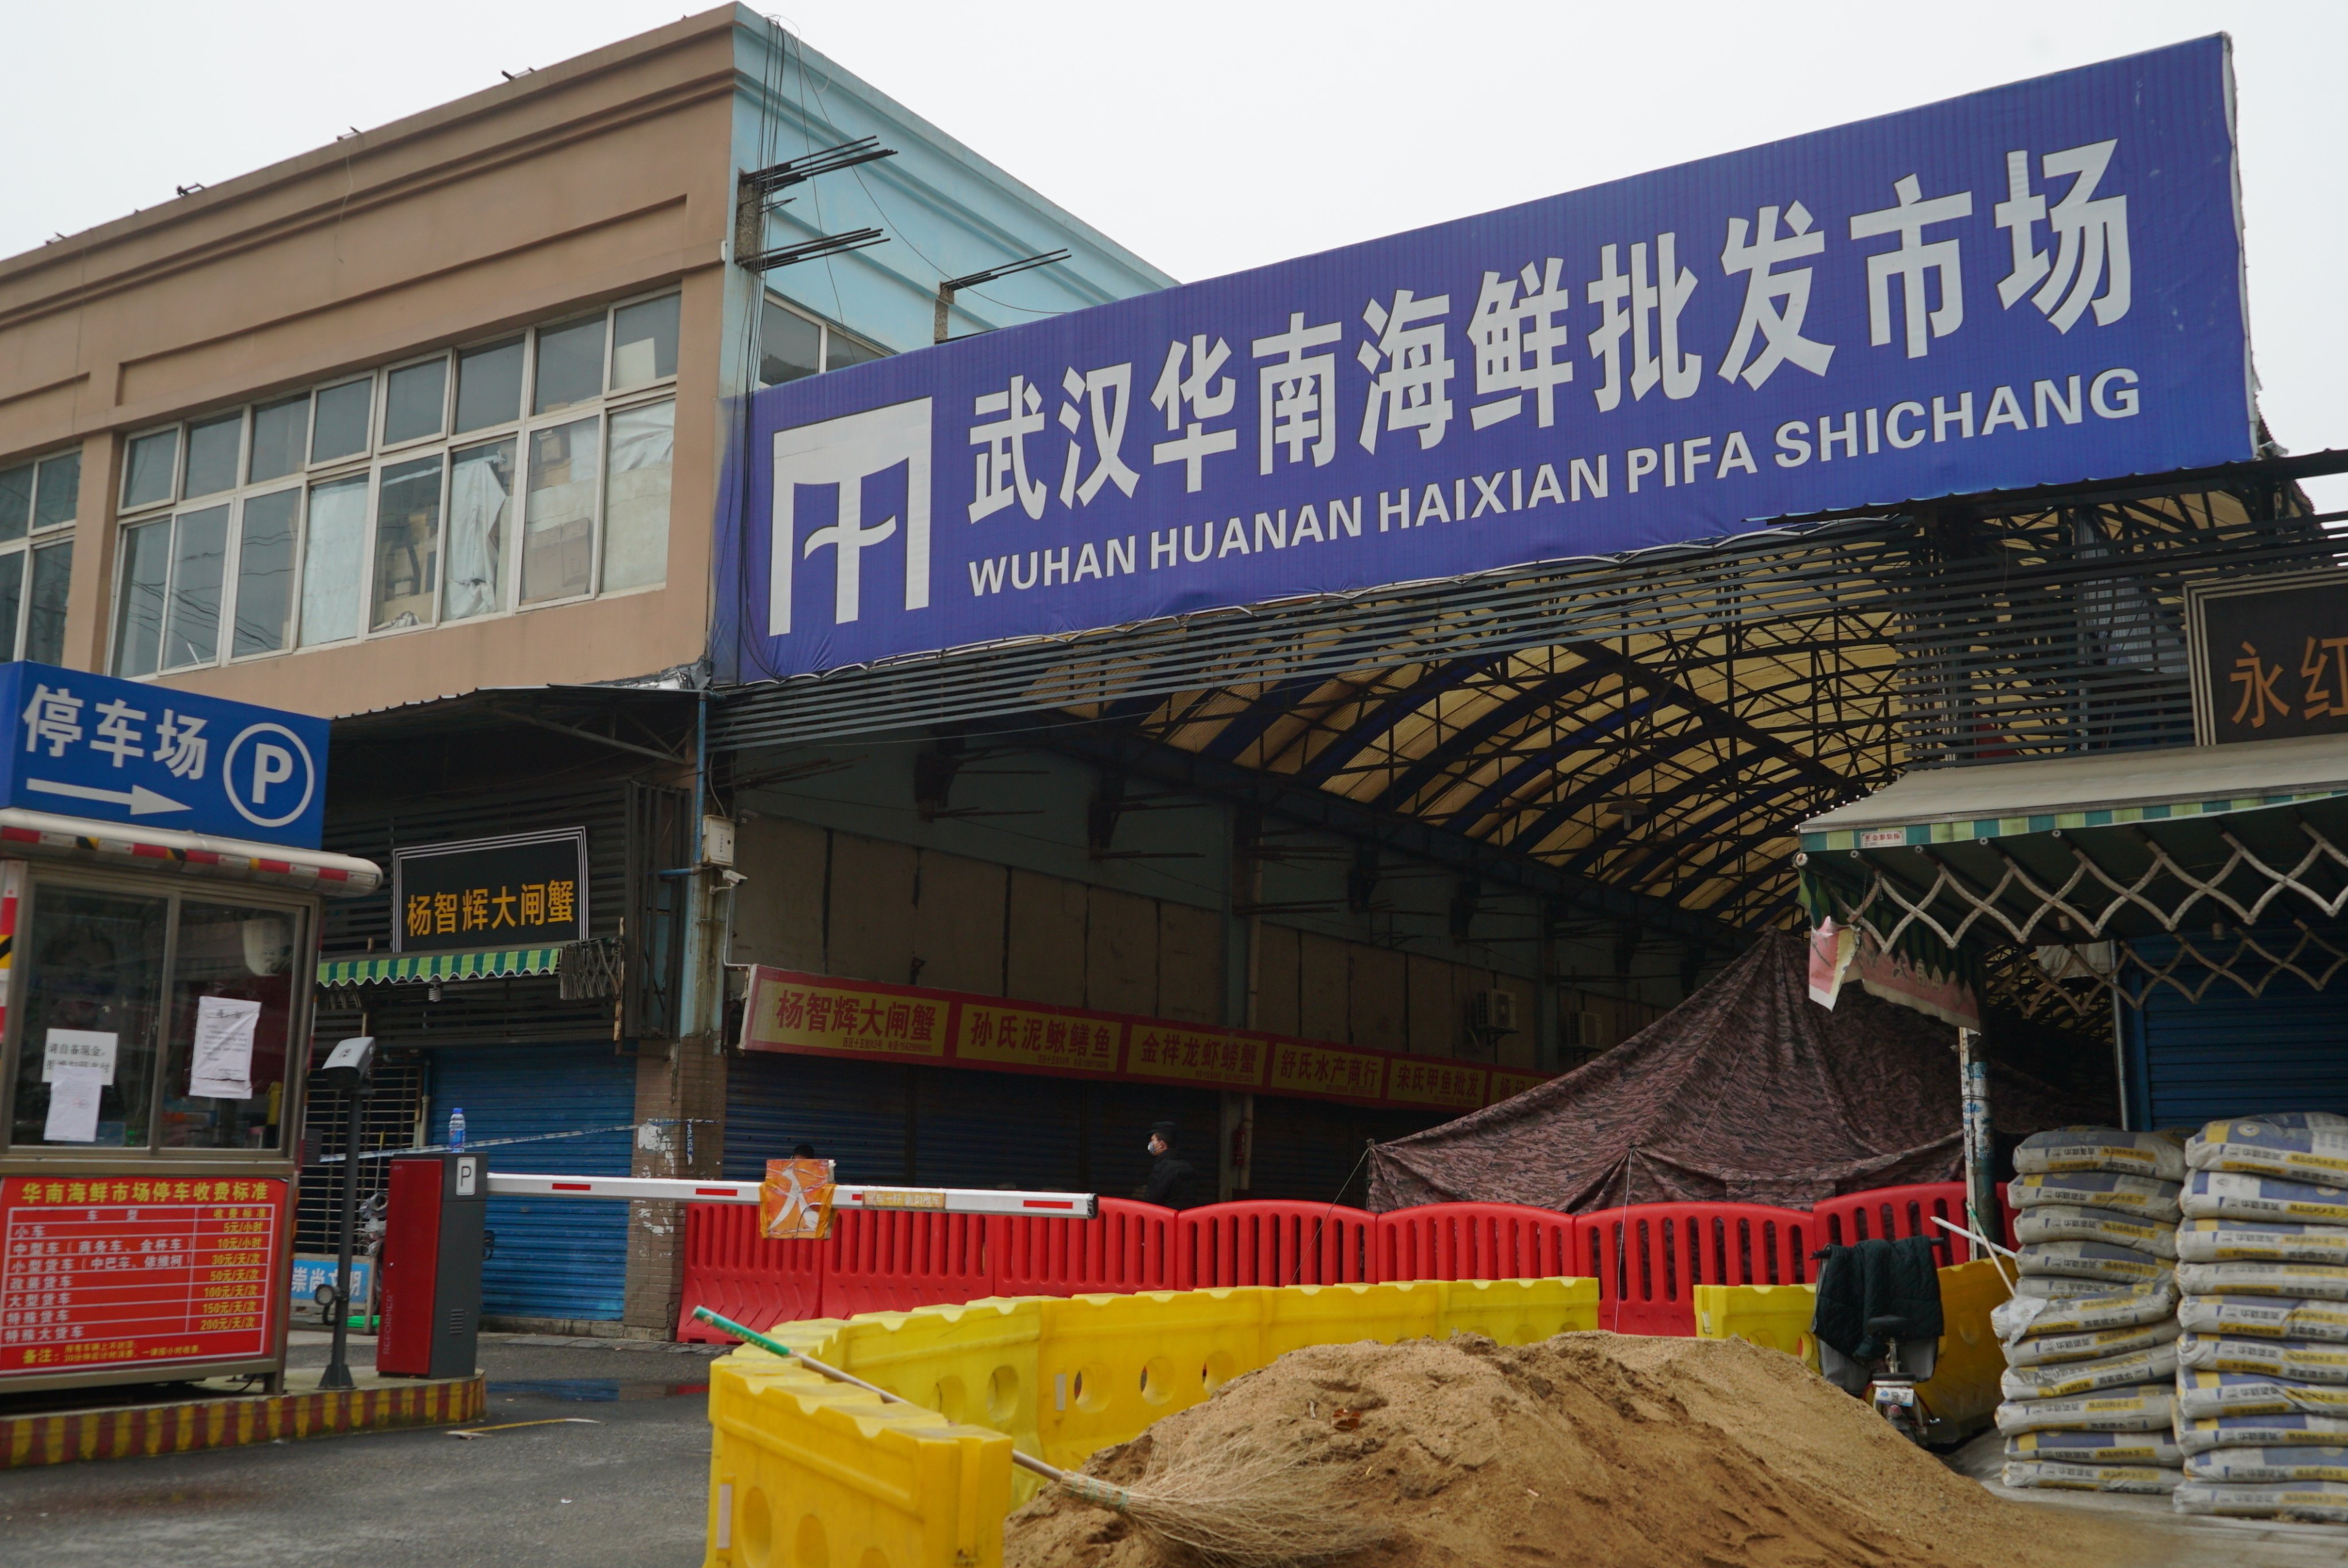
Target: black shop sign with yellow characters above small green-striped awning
x,y
527,891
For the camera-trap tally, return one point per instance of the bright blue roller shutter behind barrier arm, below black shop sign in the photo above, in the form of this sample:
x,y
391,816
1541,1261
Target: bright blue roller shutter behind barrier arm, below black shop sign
x,y
555,1259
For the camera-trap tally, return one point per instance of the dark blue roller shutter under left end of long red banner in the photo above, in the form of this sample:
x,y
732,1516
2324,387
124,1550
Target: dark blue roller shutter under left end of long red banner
x,y
851,1111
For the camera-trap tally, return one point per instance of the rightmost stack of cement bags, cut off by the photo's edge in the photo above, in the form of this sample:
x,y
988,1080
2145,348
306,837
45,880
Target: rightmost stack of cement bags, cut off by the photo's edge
x,y
2262,1365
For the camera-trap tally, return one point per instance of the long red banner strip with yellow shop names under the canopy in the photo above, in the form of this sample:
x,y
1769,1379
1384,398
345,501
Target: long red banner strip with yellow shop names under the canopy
x,y
830,1018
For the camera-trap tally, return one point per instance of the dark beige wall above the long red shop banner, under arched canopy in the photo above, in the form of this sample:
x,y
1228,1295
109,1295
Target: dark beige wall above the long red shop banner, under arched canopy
x,y
997,891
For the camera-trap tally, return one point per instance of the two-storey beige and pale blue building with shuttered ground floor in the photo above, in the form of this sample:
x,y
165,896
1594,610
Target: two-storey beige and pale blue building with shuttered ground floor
x,y
426,433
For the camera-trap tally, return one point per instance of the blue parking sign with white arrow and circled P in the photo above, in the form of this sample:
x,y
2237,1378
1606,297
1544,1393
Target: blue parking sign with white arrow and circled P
x,y
158,757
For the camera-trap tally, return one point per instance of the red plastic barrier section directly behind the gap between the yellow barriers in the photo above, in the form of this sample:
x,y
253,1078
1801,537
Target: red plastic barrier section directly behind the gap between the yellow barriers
x,y
1652,1257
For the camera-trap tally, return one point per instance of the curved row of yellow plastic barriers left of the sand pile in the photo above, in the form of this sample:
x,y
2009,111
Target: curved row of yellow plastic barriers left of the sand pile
x,y
811,1473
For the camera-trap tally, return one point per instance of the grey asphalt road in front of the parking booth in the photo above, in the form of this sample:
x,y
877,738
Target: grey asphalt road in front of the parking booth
x,y
626,1492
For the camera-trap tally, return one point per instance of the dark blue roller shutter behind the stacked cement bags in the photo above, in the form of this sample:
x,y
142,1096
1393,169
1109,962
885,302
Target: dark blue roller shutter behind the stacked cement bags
x,y
2236,1055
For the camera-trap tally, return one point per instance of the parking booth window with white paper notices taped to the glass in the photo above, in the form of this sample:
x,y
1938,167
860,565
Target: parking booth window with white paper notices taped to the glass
x,y
203,1072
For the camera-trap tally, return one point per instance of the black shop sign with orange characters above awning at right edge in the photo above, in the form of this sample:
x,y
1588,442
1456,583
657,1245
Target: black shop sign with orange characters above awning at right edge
x,y
2269,658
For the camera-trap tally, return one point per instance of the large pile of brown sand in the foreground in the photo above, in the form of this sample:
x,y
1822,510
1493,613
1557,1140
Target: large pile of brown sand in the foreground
x,y
1588,1449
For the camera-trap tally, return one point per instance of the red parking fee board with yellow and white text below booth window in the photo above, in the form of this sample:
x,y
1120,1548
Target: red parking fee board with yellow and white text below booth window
x,y
123,1271
